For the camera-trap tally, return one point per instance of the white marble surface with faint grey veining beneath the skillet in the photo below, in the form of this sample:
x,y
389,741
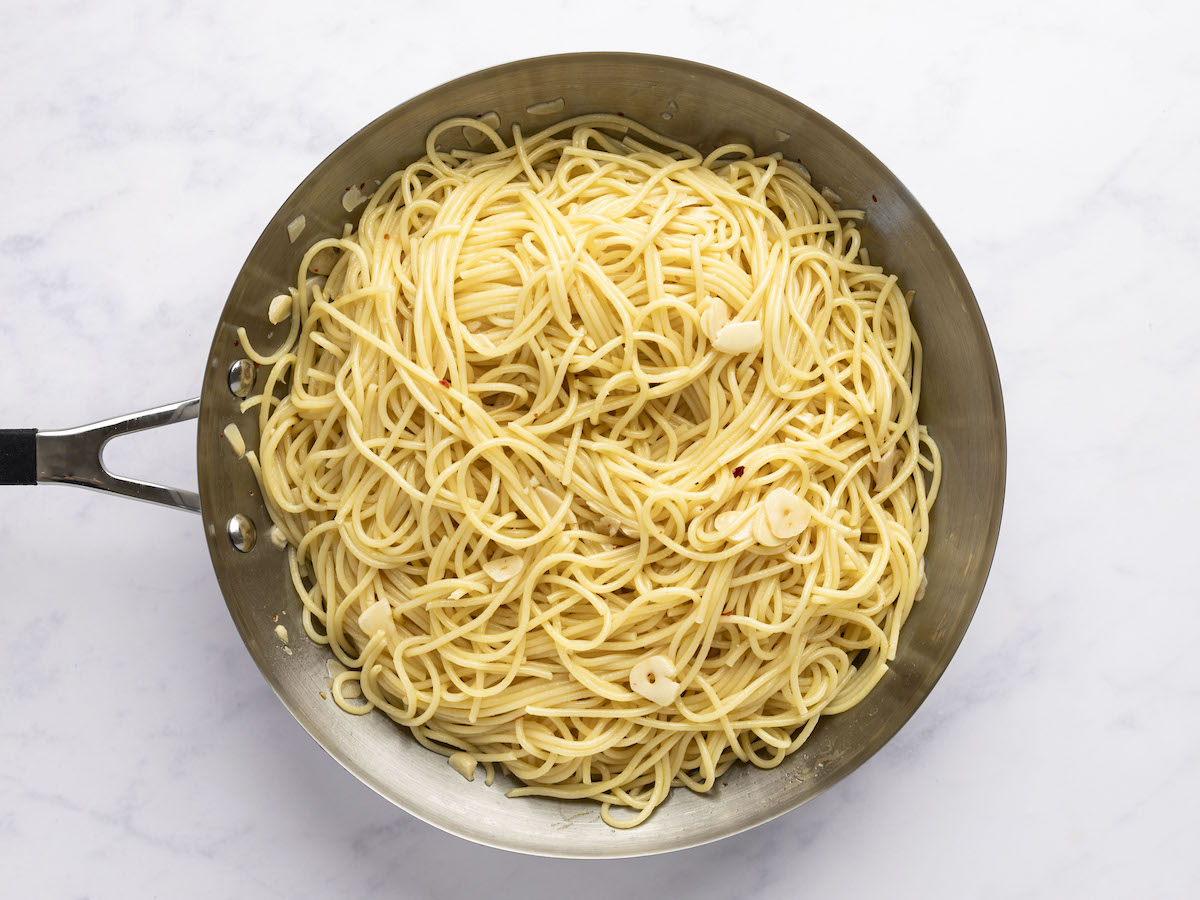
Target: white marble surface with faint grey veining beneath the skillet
x,y
1057,146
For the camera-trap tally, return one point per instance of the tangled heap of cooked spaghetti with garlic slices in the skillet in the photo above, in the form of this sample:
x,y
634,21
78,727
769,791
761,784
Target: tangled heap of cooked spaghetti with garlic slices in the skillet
x,y
598,458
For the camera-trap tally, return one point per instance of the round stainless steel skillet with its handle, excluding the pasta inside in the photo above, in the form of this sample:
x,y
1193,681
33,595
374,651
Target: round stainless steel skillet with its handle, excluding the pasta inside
x,y
961,404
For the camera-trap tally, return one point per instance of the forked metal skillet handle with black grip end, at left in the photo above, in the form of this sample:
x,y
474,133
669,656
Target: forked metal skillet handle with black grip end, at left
x,y
75,457
